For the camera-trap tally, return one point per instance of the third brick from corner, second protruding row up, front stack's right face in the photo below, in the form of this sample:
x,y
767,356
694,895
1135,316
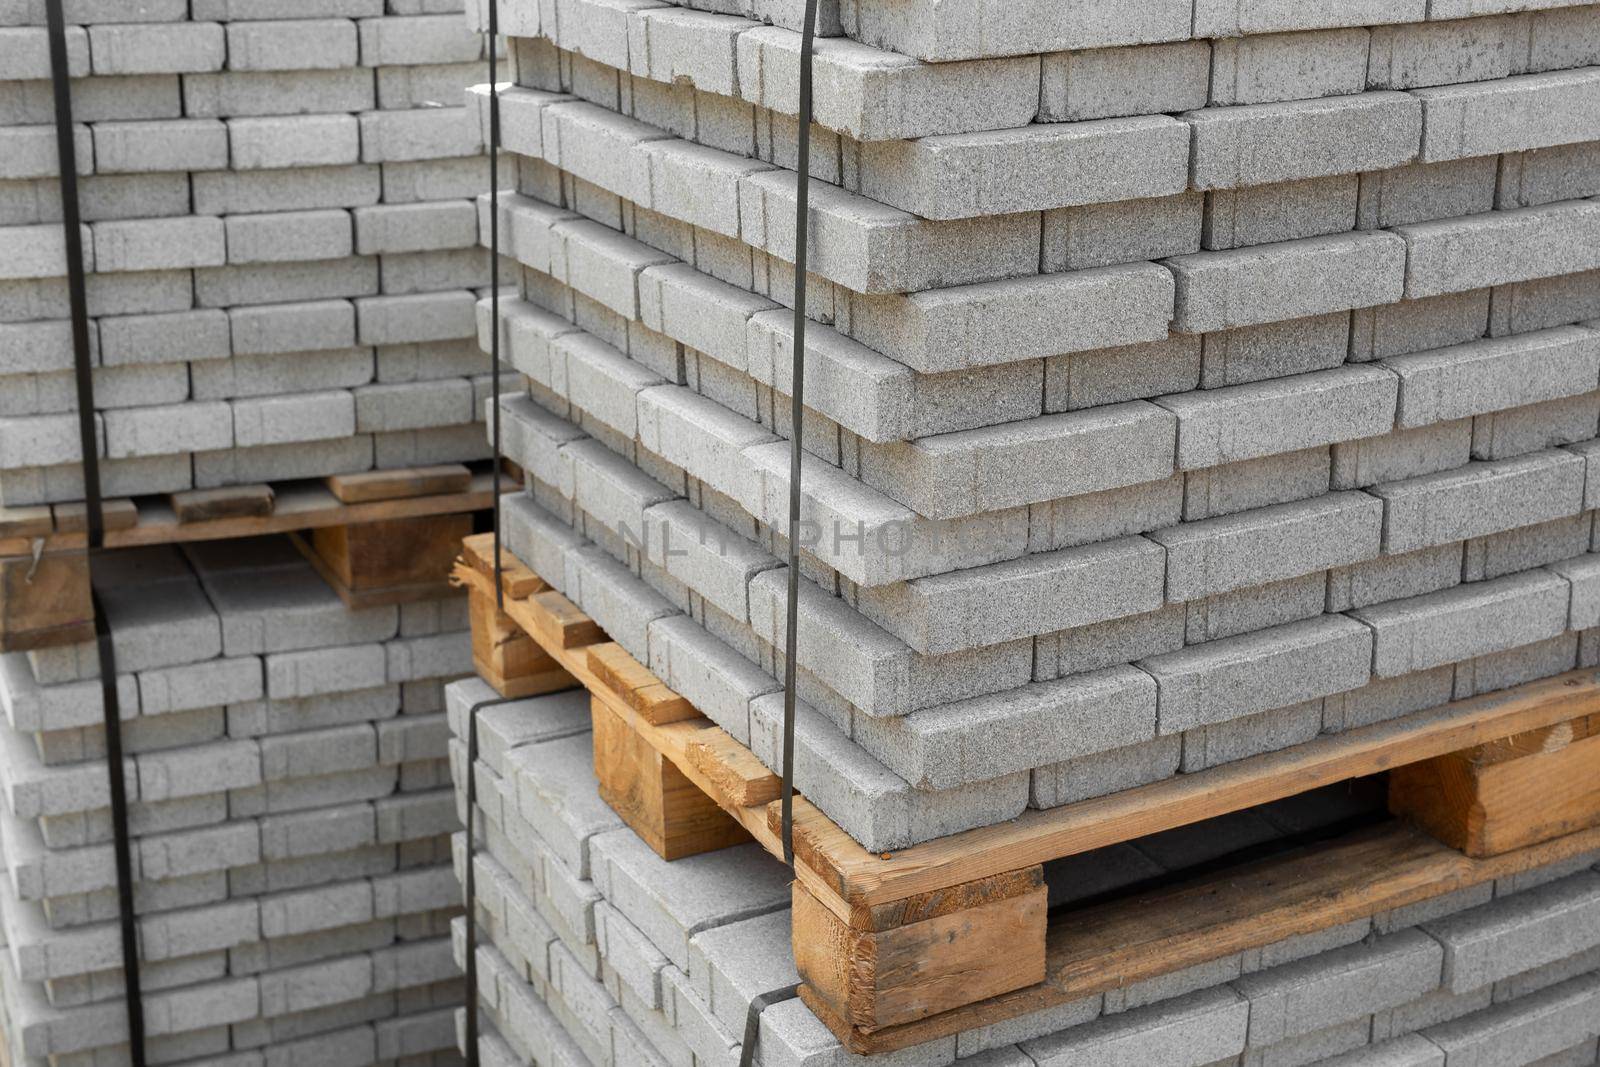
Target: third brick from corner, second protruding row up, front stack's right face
x,y
1479,500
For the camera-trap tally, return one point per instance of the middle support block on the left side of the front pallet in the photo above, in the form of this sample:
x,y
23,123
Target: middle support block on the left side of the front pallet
x,y
654,796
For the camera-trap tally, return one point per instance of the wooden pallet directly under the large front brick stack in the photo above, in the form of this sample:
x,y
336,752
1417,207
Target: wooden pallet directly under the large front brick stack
x,y
906,948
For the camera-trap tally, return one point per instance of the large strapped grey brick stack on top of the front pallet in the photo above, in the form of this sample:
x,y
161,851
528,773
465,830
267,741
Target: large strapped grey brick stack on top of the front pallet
x,y
1185,380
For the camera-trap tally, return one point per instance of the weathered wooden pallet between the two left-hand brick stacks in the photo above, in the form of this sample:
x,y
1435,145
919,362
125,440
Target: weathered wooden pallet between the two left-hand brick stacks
x,y
383,537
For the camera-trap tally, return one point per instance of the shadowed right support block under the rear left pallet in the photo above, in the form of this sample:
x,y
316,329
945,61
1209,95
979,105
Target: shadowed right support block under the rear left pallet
x,y
394,561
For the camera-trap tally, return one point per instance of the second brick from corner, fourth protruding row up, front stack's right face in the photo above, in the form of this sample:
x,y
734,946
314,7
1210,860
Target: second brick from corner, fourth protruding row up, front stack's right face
x,y
1246,287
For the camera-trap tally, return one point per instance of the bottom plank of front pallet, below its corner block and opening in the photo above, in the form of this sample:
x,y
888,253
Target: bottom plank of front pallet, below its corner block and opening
x,y
1167,930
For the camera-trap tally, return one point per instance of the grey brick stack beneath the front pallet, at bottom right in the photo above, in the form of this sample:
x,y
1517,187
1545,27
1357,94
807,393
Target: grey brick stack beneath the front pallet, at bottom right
x,y
598,953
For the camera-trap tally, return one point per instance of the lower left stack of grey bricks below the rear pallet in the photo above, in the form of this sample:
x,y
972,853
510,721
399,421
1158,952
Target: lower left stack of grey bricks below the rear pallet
x,y
290,812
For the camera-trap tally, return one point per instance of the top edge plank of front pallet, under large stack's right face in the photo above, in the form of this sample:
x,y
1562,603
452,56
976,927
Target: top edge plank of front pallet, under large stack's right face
x,y
1034,837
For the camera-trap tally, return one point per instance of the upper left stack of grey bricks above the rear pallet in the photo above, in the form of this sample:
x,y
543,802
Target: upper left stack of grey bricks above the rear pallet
x,y
279,231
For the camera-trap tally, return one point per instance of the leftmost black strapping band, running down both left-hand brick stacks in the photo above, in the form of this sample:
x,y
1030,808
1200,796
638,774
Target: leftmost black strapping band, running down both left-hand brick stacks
x,y
95,519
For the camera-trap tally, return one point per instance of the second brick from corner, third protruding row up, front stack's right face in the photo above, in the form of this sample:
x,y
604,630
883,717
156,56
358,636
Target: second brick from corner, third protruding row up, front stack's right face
x,y
1281,417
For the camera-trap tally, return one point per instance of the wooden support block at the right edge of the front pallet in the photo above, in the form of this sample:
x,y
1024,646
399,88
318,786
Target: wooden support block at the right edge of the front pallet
x,y
1506,794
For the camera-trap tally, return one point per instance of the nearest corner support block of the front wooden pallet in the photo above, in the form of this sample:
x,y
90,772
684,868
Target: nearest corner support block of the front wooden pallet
x,y
914,959
